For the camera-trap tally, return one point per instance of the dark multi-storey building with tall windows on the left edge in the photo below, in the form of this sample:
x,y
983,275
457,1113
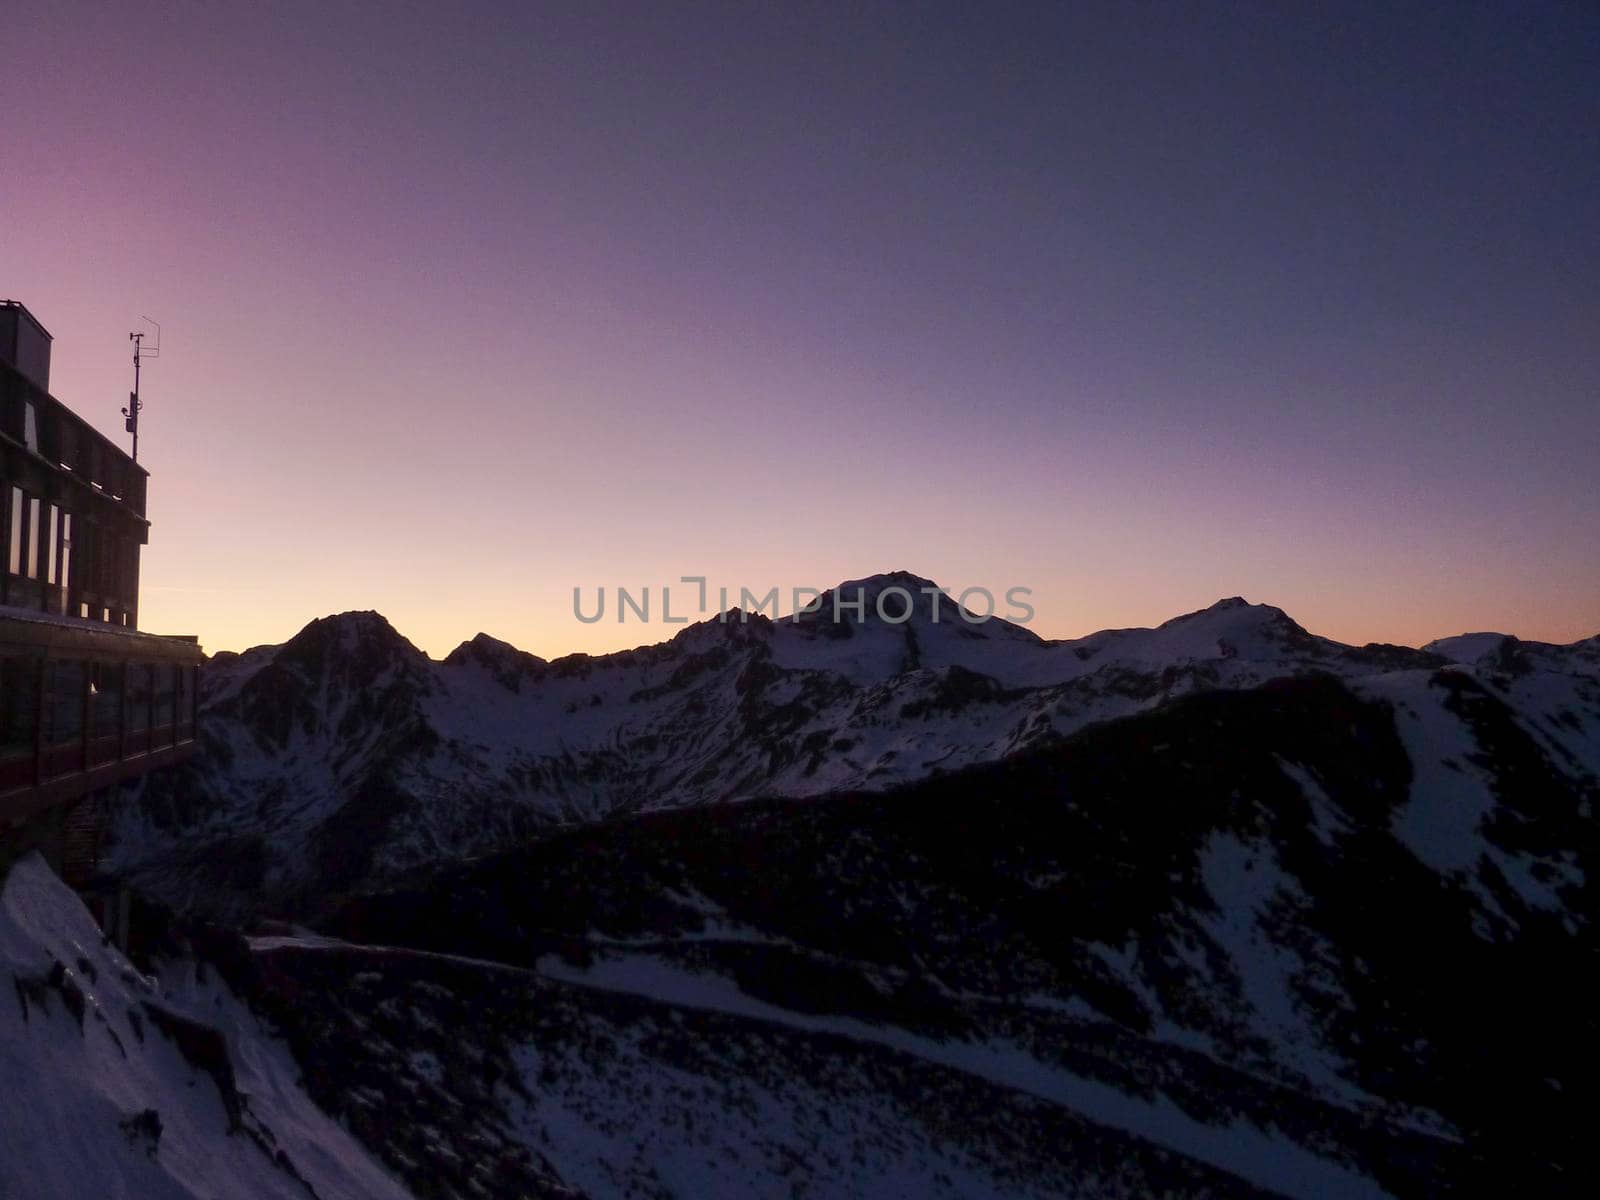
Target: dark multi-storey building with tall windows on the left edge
x,y
87,700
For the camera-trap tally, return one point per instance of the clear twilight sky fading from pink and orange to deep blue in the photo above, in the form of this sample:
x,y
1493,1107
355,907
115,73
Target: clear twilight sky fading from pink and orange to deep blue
x,y
1135,305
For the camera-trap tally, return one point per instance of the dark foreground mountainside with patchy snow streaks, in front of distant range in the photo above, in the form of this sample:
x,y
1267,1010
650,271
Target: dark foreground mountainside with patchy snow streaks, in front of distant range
x,y
1250,943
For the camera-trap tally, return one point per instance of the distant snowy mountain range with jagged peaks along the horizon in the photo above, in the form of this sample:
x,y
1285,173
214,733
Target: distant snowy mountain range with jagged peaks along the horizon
x,y
346,756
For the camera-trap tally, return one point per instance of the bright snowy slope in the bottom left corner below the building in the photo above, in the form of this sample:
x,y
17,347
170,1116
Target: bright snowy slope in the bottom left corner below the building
x,y
162,1087
